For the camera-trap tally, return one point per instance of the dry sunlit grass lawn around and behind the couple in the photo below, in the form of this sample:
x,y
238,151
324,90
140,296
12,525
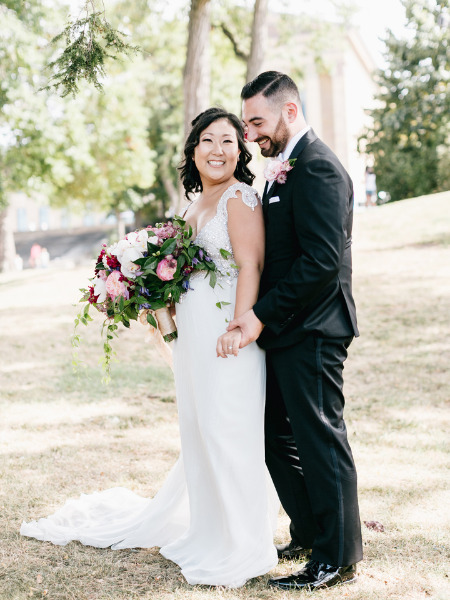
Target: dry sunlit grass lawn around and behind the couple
x,y
62,434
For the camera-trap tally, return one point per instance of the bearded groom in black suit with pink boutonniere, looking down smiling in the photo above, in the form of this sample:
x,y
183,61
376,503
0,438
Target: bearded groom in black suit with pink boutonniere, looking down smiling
x,y
305,319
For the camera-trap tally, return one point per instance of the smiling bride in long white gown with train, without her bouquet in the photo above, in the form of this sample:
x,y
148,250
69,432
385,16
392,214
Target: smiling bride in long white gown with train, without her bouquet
x,y
215,514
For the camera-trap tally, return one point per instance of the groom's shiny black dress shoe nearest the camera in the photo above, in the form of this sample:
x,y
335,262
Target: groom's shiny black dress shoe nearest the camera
x,y
315,575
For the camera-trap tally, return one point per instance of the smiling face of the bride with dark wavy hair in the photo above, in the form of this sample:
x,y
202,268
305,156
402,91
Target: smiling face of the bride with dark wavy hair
x,y
217,152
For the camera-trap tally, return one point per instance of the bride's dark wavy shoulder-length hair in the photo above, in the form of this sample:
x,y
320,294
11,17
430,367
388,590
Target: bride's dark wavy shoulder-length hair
x,y
190,177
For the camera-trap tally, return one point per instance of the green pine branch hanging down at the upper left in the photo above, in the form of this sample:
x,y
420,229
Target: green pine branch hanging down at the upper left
x,y
90,40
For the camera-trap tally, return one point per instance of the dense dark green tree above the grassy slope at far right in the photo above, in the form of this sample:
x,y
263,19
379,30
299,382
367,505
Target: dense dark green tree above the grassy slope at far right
x,y
410,129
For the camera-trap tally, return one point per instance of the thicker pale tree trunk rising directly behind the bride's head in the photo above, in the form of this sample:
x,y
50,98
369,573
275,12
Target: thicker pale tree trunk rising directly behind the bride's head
x,y
196,77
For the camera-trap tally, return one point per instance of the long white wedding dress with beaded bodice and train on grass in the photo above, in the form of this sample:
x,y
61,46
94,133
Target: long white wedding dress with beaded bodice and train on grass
x,y
216,513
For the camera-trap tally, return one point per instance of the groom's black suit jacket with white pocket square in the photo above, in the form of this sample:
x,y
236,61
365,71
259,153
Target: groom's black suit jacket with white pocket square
x,y
306,284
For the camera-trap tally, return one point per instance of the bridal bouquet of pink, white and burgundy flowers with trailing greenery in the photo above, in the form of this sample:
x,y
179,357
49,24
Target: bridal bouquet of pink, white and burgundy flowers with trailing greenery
x,y
139,276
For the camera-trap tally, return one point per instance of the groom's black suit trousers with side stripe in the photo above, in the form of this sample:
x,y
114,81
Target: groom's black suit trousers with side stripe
x,y
307,452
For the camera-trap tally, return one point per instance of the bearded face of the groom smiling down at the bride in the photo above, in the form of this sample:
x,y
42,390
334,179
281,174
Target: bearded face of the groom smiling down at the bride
x,y
265,124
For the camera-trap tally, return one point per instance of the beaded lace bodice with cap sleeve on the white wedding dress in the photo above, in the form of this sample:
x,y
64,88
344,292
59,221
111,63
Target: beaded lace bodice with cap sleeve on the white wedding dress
x,y
214,237
